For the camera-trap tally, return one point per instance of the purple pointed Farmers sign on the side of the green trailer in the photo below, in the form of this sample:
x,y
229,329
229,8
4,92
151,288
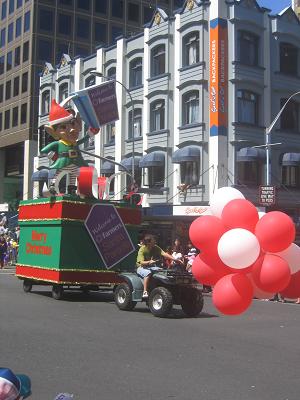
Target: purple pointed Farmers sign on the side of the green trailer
x,y
109,234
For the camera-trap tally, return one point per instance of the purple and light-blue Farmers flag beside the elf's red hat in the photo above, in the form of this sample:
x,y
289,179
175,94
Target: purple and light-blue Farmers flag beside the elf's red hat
x,y
97,105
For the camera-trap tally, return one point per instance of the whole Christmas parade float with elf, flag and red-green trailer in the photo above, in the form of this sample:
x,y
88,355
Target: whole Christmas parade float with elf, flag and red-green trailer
x,y
75,240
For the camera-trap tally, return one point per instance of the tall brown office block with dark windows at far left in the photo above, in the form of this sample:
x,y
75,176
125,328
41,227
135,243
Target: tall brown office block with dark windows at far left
x,y
35,31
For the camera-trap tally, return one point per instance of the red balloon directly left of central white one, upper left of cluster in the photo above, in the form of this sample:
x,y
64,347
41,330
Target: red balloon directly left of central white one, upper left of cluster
x,y
206,231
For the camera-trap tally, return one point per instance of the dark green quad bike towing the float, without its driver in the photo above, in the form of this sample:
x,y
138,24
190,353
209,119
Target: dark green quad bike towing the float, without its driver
x,y
167,287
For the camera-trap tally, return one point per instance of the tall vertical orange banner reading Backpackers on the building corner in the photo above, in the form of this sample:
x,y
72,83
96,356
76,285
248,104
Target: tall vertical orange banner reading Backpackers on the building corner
x,y
218,79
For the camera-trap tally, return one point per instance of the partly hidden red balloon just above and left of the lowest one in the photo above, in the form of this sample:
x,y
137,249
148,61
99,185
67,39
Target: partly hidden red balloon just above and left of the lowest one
x,y
208,273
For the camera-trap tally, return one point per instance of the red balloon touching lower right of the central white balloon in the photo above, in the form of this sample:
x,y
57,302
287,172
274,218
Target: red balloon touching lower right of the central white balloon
x,y
272,275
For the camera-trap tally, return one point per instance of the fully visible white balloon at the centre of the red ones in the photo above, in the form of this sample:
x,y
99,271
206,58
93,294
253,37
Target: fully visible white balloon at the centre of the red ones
x,y
238,248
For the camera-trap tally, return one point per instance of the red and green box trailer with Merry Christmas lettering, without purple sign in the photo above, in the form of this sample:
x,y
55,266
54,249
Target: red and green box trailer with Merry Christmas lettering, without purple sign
x,y
56,248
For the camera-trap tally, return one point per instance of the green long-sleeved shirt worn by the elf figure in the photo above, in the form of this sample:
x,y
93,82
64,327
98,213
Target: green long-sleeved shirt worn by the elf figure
x,y
64,160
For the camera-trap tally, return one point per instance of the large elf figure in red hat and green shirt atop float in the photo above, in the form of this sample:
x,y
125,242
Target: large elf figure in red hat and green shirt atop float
x,y
65,126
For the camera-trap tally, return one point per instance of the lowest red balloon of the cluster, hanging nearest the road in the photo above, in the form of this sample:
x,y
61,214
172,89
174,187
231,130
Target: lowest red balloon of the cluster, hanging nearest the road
x,y
233,294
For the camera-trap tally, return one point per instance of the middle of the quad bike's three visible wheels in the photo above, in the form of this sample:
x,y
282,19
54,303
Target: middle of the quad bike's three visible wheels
x,y
160,302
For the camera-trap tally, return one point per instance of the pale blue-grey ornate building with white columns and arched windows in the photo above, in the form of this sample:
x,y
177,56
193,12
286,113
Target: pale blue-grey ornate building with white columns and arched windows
x,y
205,83
